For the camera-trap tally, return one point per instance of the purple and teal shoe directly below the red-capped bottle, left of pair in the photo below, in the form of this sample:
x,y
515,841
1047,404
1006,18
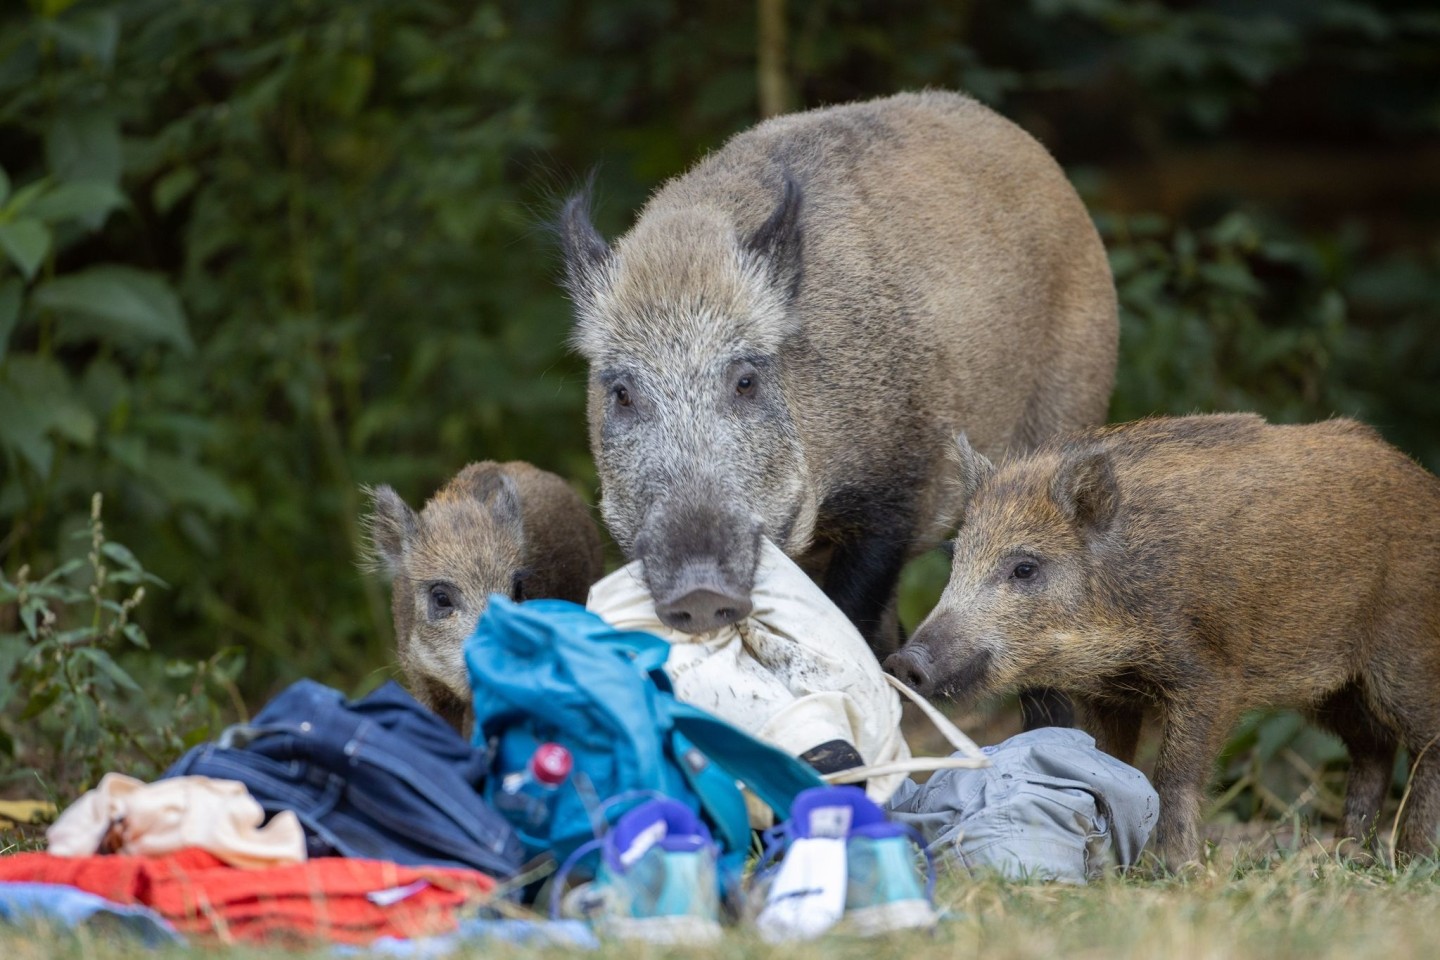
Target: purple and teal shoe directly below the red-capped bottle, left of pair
x,y
657,880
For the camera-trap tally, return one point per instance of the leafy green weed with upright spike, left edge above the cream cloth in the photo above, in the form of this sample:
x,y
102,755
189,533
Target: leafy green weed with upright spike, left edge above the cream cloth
x,y
81,689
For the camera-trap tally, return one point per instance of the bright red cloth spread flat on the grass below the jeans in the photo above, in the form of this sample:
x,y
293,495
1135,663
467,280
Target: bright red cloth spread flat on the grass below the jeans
x,y
322,899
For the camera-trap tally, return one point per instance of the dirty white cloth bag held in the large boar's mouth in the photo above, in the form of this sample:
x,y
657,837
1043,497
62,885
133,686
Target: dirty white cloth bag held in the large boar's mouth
x,y
796,673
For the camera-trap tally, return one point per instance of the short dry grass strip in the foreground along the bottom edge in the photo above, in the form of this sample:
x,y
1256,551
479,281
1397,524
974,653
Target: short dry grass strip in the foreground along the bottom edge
x,y
1243,905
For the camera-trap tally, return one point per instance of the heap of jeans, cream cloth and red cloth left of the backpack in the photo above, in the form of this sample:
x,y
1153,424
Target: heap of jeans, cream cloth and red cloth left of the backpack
x,y
320,820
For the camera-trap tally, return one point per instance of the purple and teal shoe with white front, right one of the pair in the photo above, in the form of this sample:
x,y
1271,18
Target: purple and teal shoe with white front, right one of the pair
x,y
843,867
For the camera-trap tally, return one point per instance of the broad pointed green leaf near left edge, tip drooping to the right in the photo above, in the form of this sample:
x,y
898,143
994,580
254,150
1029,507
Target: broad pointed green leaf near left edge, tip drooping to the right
x,y
120,302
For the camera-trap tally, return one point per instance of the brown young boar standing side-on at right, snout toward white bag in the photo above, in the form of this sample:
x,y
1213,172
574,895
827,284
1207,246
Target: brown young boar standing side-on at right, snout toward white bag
x,y
1202,568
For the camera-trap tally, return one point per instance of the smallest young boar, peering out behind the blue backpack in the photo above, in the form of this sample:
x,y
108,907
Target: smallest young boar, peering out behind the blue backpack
x,y
508,529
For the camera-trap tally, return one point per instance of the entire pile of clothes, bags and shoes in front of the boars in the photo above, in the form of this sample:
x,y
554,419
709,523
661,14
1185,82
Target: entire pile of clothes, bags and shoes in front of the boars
x,y
594,759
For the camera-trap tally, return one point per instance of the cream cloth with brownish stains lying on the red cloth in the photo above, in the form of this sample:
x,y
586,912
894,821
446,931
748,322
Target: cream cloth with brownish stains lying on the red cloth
x,y
130,817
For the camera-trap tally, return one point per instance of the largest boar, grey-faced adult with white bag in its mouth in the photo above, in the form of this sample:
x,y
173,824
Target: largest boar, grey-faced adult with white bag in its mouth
x,y
790,335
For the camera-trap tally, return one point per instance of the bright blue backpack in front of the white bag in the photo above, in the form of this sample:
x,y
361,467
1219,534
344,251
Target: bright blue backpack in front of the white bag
x,y
552,671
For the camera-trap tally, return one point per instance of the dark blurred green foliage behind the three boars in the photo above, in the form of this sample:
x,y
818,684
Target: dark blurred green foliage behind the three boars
x,y
258,253
